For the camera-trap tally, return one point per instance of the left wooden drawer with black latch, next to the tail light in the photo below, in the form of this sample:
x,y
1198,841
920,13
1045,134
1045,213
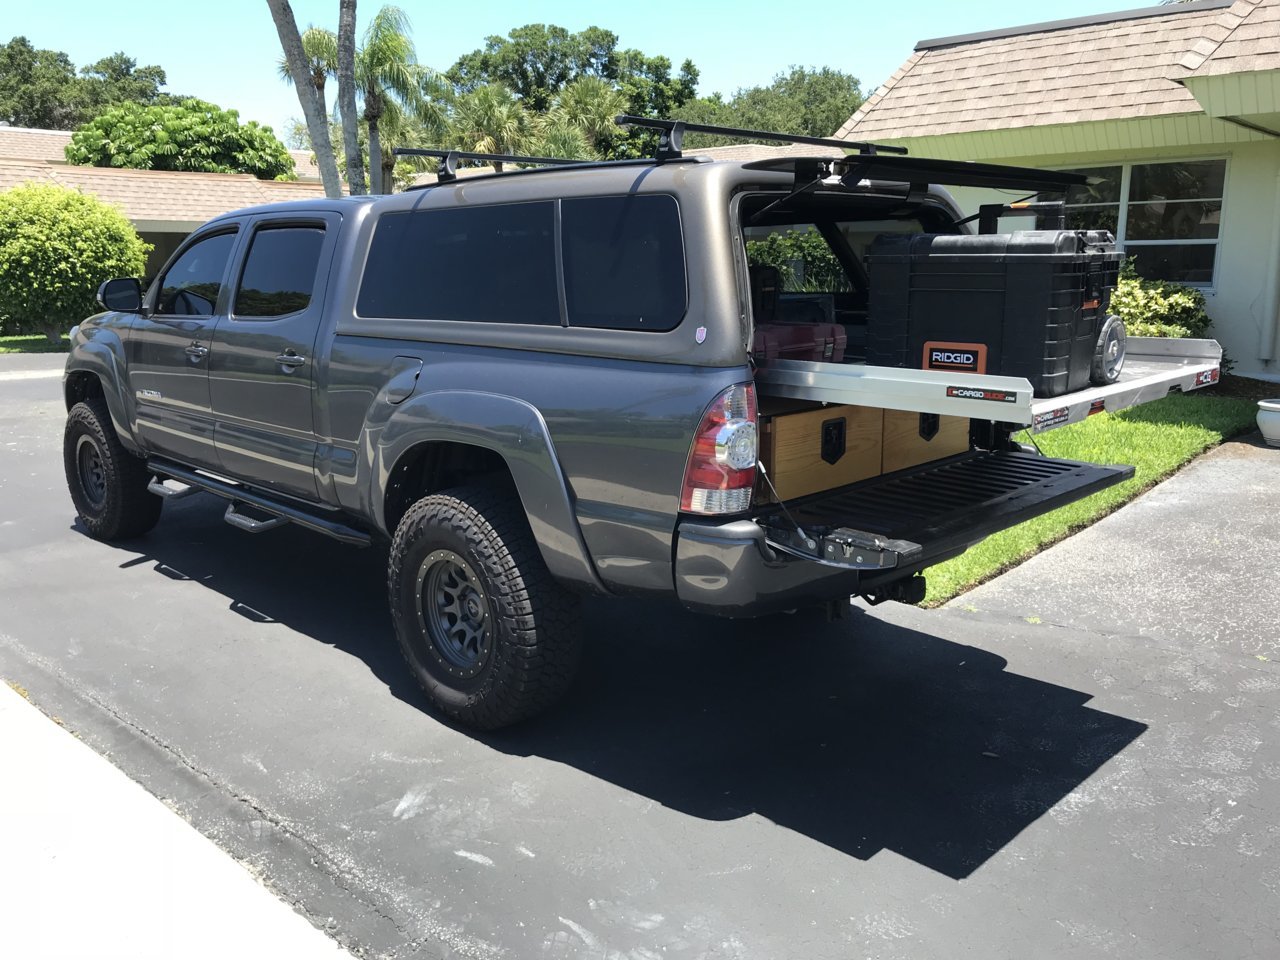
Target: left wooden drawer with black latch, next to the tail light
x,y
792,449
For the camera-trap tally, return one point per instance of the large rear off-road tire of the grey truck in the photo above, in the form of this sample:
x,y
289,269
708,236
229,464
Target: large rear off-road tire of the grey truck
x,y
536,628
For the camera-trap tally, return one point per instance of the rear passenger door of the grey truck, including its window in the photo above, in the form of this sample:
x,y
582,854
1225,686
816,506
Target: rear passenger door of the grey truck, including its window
x,y
263,371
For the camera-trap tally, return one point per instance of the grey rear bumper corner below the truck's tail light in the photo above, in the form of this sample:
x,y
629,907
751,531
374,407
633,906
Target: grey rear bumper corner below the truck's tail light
x,y
730,570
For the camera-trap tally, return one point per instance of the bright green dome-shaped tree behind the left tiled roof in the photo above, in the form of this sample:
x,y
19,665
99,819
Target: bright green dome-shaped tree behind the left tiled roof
x,y
189,136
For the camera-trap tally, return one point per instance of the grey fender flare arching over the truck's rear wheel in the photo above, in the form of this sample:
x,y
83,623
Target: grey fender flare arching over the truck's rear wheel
x,y
516,432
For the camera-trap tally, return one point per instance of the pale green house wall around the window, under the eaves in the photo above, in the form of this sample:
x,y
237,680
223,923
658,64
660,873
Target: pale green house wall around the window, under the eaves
x,y
1245,300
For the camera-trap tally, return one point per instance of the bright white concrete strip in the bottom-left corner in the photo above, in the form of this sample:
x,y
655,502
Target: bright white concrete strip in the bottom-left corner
x,y
97,867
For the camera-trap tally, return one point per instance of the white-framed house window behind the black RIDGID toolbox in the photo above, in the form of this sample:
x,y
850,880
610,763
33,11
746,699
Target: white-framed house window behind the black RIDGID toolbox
x,y
1167,216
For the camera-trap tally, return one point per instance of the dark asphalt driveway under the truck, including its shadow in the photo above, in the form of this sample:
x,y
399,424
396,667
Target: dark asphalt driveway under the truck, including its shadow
x,y
1080,760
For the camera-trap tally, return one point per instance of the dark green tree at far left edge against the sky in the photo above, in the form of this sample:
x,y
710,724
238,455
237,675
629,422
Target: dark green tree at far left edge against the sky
x,y
39,88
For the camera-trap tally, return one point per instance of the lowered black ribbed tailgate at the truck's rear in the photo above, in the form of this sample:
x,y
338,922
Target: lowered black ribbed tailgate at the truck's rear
x,y
926,514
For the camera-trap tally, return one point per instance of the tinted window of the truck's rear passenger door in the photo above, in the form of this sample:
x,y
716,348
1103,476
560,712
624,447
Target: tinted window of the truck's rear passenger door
x,y
280,272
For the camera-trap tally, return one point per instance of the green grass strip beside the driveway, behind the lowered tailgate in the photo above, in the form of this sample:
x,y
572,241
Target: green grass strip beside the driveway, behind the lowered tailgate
x,y
1156,438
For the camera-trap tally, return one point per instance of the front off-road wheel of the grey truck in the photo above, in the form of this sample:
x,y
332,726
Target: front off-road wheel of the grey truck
x,y
118,506
